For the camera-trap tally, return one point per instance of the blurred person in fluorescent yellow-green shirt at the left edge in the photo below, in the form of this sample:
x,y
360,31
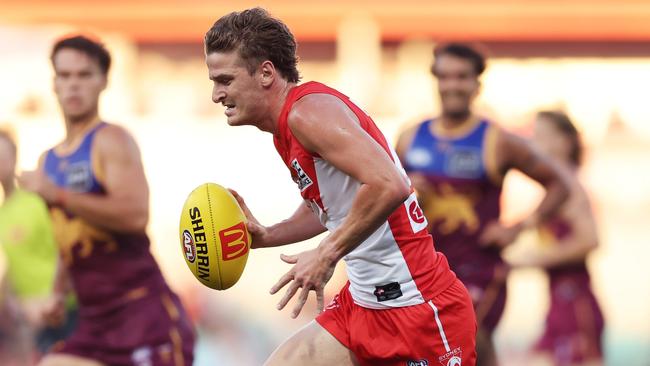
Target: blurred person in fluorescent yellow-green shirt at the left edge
x,y
30,253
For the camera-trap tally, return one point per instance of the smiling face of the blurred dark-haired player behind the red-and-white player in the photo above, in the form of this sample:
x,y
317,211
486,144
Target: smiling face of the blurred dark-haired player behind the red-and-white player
x,y
457,84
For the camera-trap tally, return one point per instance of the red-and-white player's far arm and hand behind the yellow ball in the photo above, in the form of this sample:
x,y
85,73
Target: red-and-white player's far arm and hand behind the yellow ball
x,y
302,225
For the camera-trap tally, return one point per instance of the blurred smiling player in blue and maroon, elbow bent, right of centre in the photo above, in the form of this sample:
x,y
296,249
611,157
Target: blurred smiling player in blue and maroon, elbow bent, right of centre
x,y
457,163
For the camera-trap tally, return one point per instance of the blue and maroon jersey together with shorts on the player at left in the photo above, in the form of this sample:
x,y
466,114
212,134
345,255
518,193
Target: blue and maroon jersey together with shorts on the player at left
x,y
127,314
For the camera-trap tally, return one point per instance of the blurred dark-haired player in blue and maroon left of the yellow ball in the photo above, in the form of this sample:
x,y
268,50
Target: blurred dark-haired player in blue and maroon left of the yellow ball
x,y
95,185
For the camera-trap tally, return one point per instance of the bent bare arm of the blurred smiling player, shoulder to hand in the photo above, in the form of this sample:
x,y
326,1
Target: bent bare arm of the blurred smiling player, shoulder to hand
x,y
513,152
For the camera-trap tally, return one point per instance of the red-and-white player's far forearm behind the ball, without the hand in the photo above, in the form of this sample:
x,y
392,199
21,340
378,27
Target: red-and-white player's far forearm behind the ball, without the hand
x,y
302,225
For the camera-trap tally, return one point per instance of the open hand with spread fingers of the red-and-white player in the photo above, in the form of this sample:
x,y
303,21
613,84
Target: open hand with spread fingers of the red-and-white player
x,y
311,272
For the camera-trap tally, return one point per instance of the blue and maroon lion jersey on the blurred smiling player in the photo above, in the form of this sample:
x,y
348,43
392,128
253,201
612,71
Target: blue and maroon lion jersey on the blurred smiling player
x,y
464,195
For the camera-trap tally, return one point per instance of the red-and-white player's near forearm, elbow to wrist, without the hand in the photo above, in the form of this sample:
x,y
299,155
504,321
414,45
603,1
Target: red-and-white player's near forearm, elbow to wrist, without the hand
x,y
370,209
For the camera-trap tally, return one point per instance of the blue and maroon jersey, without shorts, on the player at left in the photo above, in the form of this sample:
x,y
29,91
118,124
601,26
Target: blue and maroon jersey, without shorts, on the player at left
x,y
108,269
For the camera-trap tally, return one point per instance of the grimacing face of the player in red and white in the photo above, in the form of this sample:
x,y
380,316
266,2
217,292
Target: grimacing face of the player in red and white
x,y
235,88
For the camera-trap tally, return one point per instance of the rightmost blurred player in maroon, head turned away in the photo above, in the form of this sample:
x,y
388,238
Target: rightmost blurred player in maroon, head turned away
x,y
574,323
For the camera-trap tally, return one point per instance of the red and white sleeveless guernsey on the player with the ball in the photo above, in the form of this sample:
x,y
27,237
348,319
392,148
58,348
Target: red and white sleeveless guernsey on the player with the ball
x,y
397,265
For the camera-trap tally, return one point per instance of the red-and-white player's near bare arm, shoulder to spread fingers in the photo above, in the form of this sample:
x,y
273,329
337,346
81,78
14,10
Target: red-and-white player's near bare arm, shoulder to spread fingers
x,y
326,126
